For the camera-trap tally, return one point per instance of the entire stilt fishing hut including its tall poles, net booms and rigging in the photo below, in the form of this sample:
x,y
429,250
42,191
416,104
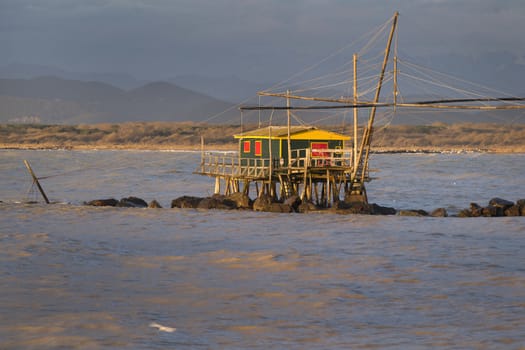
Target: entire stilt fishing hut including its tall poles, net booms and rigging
x,y
319,165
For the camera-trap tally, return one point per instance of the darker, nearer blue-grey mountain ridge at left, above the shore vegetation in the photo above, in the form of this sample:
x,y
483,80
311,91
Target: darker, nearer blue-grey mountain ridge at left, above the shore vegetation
x,y
56,100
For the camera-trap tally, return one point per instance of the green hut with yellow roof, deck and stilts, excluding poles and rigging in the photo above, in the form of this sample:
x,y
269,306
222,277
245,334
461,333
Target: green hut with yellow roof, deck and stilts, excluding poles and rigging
x,y
279,161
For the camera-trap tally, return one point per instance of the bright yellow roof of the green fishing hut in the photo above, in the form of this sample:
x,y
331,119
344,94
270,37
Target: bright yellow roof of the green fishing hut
x,y
296,133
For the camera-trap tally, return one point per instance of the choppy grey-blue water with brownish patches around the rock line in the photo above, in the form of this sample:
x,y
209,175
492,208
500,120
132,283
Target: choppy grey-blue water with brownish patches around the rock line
x,y
84,277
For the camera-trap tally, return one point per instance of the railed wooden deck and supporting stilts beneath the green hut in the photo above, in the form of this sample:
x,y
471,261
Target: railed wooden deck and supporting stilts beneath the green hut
x,y
316,175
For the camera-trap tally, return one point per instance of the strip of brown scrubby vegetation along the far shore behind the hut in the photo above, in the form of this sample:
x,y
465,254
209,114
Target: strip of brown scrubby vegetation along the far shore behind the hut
x,y
437,137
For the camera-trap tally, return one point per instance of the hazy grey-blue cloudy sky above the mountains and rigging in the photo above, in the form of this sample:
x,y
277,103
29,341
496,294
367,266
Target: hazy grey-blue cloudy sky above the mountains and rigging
x,y
250,39
